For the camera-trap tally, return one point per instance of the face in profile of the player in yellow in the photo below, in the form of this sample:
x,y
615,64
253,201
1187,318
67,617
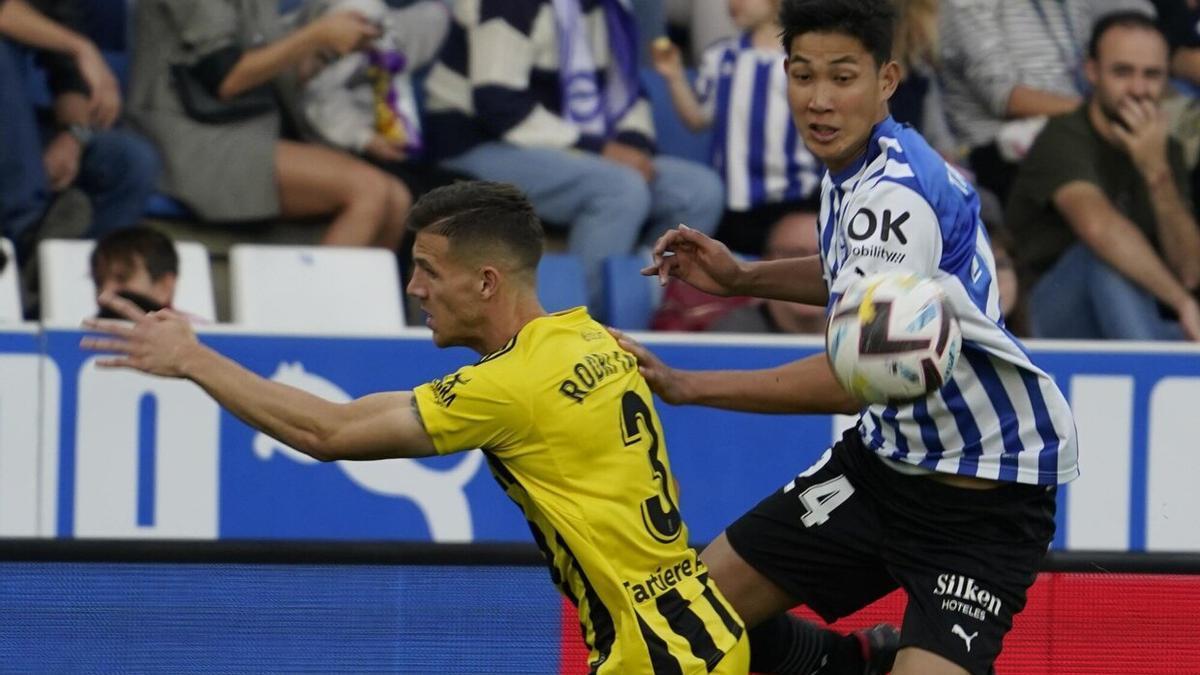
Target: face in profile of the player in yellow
x,y
447,290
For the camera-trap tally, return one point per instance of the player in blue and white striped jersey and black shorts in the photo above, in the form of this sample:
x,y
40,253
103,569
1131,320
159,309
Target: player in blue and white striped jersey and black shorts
x,y
951,498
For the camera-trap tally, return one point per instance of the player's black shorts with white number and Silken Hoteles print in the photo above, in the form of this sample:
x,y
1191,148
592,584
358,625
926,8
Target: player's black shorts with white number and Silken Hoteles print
x,y
850,530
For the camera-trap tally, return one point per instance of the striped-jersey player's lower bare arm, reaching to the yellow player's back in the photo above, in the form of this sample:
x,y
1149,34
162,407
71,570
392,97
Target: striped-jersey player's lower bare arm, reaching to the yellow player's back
x,y
805,386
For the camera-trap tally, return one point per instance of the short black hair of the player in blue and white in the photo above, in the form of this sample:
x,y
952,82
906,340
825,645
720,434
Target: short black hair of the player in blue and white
x,y
872,22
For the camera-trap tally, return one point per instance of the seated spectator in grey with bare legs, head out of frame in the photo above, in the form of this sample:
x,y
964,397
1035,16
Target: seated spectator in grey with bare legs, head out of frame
x,y
243,170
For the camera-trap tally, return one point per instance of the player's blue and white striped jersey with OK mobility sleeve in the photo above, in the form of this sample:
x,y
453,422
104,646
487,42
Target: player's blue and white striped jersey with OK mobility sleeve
x,y
999,416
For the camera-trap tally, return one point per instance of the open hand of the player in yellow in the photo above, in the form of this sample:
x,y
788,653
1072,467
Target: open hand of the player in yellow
x,y
158,343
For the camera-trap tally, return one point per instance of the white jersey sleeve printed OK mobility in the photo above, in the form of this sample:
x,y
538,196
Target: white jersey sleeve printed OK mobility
x,y
892,229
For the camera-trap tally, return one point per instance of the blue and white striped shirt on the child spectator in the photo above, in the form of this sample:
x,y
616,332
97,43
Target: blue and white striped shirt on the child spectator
x,y
755,146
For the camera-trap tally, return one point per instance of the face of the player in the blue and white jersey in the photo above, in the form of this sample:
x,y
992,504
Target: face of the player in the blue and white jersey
x,y
837,94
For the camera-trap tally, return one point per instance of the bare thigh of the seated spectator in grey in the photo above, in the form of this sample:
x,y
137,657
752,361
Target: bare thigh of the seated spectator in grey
x,y
319,181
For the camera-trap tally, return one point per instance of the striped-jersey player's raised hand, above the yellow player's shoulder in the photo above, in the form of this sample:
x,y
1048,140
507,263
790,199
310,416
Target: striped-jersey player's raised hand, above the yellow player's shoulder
x,y
695,259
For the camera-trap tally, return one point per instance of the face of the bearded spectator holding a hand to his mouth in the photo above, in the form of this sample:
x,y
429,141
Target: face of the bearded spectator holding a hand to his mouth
x,y
1130,65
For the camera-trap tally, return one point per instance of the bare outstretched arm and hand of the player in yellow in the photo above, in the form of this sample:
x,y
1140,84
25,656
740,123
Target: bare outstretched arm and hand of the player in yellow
x,y
376,427
